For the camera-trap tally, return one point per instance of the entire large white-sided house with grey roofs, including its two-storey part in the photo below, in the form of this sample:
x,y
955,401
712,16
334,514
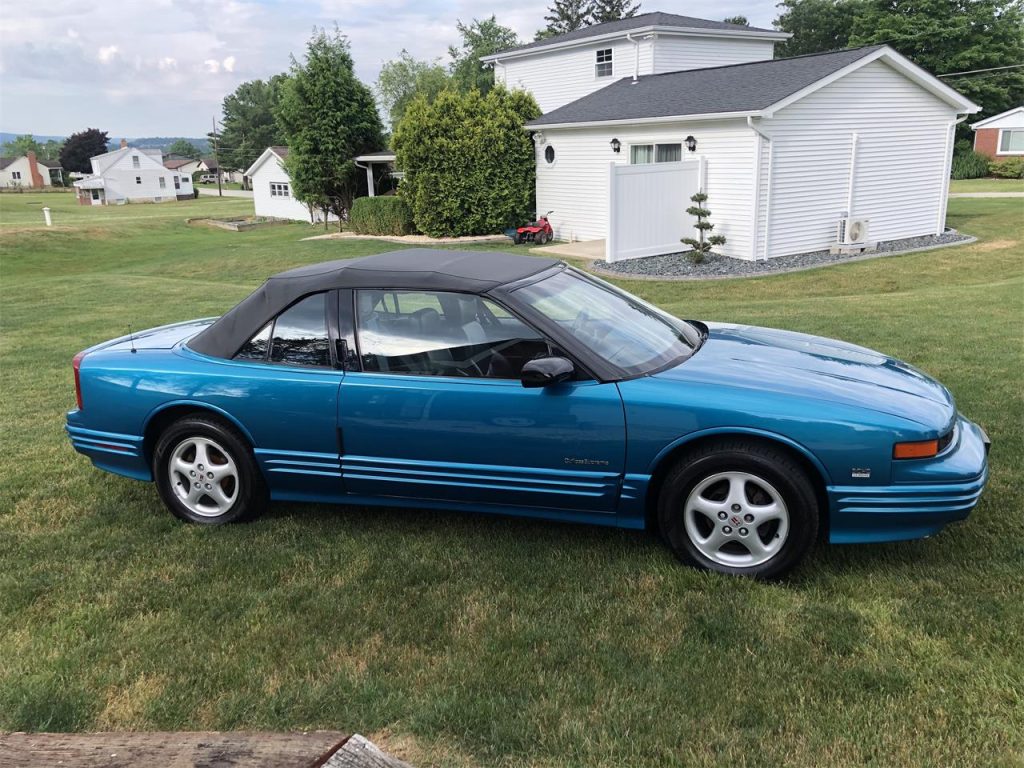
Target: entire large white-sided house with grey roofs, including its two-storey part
x,y
643,113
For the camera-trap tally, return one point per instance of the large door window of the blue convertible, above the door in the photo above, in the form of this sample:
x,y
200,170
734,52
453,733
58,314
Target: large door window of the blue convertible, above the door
x,y
433,333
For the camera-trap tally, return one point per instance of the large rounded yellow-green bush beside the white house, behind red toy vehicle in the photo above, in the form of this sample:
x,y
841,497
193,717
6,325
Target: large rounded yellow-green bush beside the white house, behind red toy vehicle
x,y
468,163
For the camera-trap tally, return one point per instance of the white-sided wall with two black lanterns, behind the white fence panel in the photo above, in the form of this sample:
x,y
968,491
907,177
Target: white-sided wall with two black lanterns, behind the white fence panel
x,y
576,186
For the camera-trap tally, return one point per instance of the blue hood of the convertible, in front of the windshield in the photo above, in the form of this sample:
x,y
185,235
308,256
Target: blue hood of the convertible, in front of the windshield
x,y
816,368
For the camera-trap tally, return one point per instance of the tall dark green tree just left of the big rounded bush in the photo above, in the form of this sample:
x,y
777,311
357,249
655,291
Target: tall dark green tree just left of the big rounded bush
x,y
328,118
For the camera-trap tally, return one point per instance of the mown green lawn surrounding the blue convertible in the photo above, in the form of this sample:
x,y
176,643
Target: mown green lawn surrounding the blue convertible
x,y
470,641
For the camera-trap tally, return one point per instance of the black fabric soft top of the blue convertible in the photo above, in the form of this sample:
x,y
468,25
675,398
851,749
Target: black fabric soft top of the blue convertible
x,y
411,270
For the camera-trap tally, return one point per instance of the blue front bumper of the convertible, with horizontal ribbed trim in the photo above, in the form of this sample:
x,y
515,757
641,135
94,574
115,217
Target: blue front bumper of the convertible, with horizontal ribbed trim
x,y
915,509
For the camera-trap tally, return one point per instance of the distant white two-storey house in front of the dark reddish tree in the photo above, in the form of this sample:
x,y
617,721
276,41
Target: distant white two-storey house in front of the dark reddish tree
x,y
133,176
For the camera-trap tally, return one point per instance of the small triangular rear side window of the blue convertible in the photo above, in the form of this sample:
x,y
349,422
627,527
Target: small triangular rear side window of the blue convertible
x,y
297,337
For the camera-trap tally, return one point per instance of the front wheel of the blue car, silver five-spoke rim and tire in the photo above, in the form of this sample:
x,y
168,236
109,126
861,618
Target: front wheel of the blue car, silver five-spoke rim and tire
x,y
741,508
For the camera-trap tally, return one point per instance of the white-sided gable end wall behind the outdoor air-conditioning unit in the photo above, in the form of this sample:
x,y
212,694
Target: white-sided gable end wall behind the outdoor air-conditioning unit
x,y
903,161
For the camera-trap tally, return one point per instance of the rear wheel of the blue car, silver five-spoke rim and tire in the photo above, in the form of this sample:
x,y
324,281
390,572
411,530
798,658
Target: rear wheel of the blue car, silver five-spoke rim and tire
x,y
206,473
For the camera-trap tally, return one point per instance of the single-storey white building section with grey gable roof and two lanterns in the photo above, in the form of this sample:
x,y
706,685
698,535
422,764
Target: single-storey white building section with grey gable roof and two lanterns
x,y
787,150
